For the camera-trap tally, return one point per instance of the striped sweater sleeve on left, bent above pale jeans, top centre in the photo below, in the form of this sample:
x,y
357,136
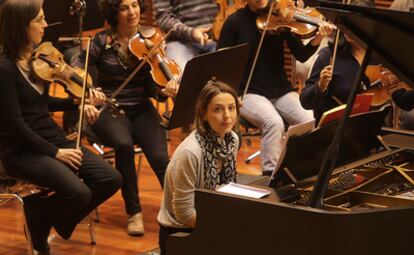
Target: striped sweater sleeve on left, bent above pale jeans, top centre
x,y
167,19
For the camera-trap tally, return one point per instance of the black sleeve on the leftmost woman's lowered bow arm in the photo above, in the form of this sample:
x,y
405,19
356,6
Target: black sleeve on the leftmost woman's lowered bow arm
x,y
12,118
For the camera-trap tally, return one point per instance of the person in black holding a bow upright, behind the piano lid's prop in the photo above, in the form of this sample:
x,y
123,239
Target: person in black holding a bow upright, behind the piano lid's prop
x,y
326,88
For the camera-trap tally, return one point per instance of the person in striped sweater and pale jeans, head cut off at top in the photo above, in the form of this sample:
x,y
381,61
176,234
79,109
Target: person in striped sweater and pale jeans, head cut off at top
x,y
192,21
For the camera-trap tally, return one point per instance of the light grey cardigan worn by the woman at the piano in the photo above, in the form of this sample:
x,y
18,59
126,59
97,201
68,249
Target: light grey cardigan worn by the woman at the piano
x,y
184,175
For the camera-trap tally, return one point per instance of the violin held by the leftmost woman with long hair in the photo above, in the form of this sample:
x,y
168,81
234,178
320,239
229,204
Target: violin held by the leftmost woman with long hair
x,y
47,64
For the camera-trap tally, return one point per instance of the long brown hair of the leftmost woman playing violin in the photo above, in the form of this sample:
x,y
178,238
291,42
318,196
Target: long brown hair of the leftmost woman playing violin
x,y
15,17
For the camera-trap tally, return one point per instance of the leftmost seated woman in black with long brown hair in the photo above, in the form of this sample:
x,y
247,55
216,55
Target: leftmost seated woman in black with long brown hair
x,y
32,146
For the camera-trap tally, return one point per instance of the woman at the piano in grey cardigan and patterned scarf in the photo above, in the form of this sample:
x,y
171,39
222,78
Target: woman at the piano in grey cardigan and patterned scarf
x,y
205,159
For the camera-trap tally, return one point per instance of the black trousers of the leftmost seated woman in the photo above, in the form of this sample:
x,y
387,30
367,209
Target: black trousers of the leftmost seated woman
x,y
75,195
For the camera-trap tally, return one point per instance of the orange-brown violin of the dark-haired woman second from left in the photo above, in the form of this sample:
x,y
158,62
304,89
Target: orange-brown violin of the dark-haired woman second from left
x,y
163,69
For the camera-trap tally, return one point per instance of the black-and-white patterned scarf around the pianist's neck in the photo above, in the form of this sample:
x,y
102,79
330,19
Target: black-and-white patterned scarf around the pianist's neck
x,y
215,150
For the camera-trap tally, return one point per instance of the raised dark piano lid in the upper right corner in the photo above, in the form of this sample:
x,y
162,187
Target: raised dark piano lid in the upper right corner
x,y
389,33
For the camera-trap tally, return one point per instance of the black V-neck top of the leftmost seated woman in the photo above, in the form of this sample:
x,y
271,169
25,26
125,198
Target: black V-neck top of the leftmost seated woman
x,y
25,121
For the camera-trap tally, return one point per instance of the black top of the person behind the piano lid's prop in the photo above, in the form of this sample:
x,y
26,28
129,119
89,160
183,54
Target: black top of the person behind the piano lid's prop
x,y
344,74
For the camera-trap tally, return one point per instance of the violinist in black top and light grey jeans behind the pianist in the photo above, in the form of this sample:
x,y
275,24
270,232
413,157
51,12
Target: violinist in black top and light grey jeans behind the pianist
x,y
270,100
